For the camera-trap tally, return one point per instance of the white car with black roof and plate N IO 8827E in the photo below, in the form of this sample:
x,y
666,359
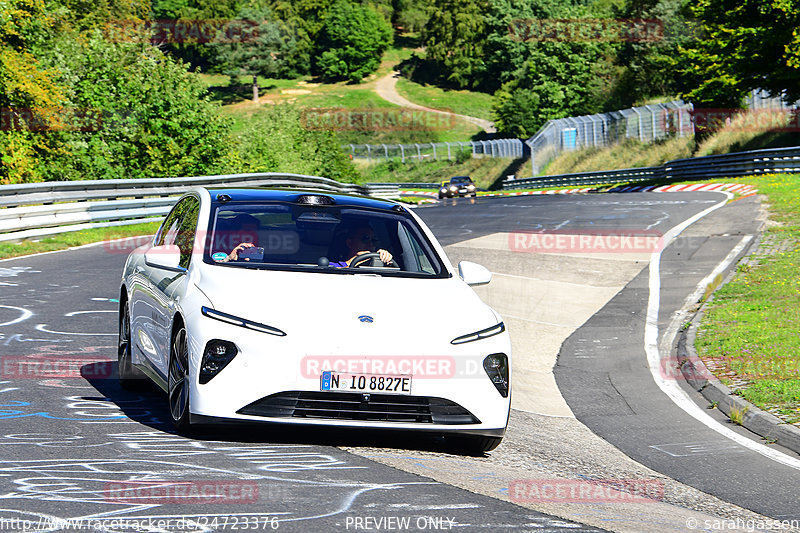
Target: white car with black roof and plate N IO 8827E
x,y
309,308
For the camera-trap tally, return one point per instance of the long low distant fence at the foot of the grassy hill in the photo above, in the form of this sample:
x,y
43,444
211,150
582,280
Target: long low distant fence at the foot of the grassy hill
x,y
514,148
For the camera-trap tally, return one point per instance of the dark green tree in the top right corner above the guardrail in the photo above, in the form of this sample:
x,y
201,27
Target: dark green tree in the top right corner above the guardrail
x,y
745,45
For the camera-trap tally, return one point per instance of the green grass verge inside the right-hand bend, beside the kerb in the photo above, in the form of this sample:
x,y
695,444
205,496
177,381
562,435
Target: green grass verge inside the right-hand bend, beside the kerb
x,y
749,331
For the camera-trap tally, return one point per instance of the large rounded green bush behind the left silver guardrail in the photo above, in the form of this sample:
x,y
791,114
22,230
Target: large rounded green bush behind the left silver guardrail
x,y
153,117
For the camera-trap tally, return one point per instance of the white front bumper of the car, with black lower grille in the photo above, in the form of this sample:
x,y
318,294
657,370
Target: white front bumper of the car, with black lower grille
x,y
273,370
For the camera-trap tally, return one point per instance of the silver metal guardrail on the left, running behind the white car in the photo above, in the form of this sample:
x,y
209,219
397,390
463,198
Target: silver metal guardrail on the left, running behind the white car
x,y
37,210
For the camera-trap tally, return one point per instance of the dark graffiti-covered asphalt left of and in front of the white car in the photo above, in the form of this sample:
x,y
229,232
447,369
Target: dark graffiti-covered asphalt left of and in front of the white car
x,y
67,443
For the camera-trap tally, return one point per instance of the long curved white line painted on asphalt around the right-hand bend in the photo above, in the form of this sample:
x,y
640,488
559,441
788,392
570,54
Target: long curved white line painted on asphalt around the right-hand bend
x,y
671,387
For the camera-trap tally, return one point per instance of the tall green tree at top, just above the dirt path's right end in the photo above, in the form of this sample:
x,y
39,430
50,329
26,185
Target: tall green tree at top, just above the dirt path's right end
x,y
454,41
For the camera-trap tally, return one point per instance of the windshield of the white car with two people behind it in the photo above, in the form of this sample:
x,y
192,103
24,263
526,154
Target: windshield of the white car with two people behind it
x,y
283,236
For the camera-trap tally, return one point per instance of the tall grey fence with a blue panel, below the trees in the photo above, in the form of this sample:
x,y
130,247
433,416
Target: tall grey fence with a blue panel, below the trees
x,y
646,123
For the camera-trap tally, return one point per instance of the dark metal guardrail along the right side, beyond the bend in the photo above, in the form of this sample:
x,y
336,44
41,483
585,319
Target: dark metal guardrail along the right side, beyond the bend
x,y
756,162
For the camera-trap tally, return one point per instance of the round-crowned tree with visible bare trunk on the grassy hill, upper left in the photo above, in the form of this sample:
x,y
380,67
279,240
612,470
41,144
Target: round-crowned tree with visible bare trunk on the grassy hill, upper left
x,y
255,45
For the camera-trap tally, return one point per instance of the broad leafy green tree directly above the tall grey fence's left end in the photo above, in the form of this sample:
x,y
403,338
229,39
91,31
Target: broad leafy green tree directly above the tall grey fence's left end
x,y
552,63
